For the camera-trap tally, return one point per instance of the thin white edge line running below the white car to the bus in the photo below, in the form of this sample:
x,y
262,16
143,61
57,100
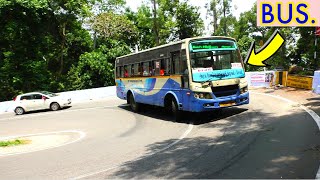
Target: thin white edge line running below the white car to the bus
x,y
61,111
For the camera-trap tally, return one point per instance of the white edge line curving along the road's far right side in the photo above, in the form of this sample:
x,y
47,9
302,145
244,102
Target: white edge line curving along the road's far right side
x,y
314,115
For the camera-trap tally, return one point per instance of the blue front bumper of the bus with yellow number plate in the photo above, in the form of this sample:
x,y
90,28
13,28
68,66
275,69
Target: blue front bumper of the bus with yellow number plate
x,y
202,105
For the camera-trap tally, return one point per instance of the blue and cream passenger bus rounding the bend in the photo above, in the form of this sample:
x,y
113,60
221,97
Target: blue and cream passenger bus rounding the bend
x,y
195,74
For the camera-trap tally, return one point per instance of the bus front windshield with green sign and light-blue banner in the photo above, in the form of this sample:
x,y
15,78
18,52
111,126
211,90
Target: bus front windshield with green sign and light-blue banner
x,y
215,60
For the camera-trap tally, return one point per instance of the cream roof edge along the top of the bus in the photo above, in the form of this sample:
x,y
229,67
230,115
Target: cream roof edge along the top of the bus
x,y
177,42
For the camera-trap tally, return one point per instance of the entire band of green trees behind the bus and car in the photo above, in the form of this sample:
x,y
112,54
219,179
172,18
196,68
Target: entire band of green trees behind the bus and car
x,y
60,45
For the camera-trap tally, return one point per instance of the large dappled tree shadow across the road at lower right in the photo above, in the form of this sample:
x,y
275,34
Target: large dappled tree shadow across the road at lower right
x,y
254,145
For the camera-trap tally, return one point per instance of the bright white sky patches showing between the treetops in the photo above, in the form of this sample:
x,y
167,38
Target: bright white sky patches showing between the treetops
x,y
238,6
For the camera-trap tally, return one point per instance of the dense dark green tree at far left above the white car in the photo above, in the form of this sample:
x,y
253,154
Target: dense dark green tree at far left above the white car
x,y
39,41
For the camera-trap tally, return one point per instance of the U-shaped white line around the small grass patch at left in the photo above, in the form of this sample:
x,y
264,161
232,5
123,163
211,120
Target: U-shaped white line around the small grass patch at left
x,y
82,135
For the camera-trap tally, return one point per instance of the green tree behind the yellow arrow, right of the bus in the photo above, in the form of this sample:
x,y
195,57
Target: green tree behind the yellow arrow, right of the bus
x,y
247,31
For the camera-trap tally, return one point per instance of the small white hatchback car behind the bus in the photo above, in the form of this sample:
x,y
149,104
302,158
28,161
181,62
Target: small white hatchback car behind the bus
x,y
39,101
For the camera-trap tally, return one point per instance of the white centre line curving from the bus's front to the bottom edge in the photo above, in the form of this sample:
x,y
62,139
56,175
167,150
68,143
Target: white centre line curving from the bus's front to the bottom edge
x,y
184,135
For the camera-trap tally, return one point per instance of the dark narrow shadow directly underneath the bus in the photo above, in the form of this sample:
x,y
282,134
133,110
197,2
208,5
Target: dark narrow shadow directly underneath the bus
x,y
196,118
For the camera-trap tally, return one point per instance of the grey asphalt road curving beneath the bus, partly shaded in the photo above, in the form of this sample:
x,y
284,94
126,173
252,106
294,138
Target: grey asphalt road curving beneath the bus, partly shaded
x,y
269,138
